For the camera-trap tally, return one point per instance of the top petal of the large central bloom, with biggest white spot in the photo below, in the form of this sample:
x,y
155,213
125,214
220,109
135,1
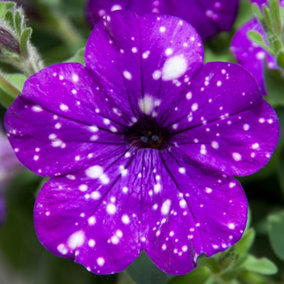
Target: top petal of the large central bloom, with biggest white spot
x,y
136,57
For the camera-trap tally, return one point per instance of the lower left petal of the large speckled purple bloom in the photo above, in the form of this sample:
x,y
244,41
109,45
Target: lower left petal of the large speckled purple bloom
x,y
93,218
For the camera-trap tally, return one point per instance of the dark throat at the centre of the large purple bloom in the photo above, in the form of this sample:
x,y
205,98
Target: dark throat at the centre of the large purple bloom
x,y
147,133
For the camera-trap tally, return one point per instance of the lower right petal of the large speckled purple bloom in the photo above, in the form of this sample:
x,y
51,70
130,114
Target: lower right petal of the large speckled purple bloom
x,y
181,227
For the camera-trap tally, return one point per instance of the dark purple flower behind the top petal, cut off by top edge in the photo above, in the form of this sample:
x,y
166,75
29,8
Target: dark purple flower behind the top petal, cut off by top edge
x,y
209,17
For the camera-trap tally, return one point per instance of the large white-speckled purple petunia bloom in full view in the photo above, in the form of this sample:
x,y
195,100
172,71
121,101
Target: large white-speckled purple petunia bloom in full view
x,y
141,146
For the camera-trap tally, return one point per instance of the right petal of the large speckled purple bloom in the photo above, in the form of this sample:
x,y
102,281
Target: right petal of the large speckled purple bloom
x,y
225,123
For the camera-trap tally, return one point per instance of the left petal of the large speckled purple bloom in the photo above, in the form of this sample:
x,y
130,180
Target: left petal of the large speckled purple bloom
x,y
68,129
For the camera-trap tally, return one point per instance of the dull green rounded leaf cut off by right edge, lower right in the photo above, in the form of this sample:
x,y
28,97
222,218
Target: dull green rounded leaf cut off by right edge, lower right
x,y
276,233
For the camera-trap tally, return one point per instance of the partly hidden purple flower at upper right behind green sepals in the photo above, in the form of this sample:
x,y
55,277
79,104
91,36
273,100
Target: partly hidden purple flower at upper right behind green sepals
x,y
249,54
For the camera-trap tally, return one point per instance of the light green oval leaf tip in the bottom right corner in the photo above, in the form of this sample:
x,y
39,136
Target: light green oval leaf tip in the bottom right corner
x,y
259,265
